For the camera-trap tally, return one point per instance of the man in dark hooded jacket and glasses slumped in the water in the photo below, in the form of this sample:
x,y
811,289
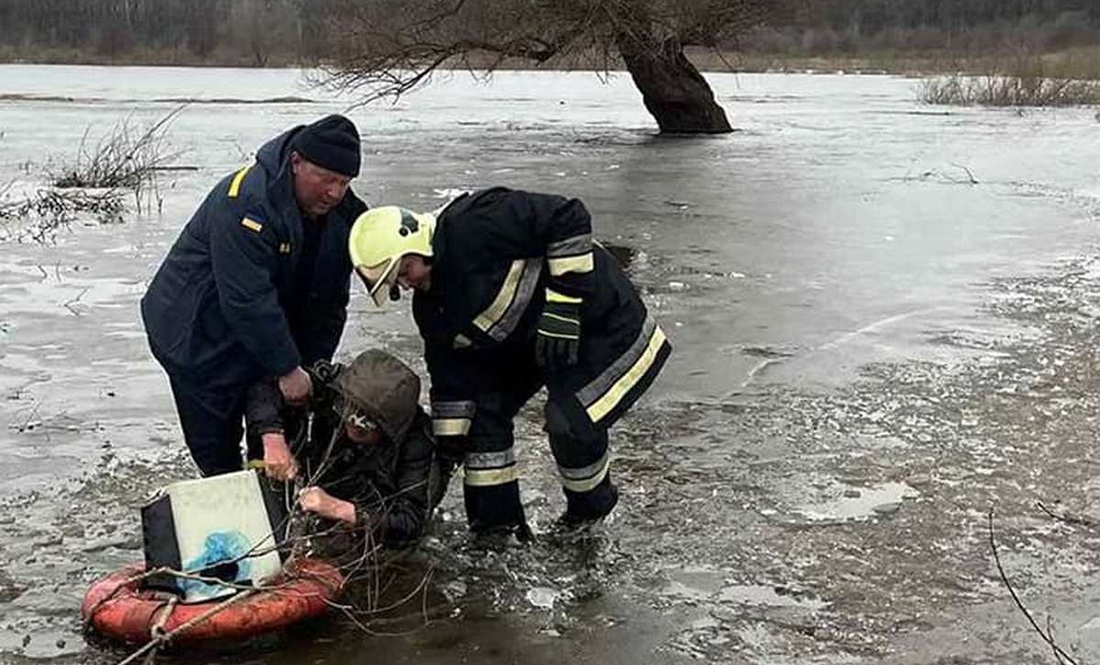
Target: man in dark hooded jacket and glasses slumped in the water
x,y
369,462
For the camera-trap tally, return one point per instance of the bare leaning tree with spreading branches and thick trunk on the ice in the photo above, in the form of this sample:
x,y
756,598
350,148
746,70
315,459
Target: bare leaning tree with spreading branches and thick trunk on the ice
x,y
388,48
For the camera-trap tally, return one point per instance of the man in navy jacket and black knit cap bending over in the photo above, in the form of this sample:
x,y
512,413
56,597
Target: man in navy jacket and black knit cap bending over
x,y
257,286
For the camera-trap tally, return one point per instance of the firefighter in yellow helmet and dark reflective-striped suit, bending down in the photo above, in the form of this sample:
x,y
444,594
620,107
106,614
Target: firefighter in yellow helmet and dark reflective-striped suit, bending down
x,y
512,294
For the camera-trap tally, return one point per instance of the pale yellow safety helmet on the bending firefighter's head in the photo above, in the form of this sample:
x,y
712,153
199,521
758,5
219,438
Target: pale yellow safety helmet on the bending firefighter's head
x,y
381,238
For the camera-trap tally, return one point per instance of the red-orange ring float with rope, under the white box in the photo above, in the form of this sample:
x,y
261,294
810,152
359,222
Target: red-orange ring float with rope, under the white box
x,y
117,608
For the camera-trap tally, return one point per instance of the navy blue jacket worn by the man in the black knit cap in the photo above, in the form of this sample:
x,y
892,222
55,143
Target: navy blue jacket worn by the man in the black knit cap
x,y
221,314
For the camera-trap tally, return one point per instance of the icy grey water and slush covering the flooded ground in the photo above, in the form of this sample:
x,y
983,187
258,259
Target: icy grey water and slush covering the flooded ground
x,y
884,317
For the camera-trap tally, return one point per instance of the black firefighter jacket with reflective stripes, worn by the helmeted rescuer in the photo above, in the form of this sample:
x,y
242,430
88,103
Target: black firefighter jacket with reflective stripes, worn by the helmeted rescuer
x,y
497,254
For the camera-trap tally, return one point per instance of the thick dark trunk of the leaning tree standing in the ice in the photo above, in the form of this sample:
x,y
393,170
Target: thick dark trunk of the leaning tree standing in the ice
x,y
673,90
